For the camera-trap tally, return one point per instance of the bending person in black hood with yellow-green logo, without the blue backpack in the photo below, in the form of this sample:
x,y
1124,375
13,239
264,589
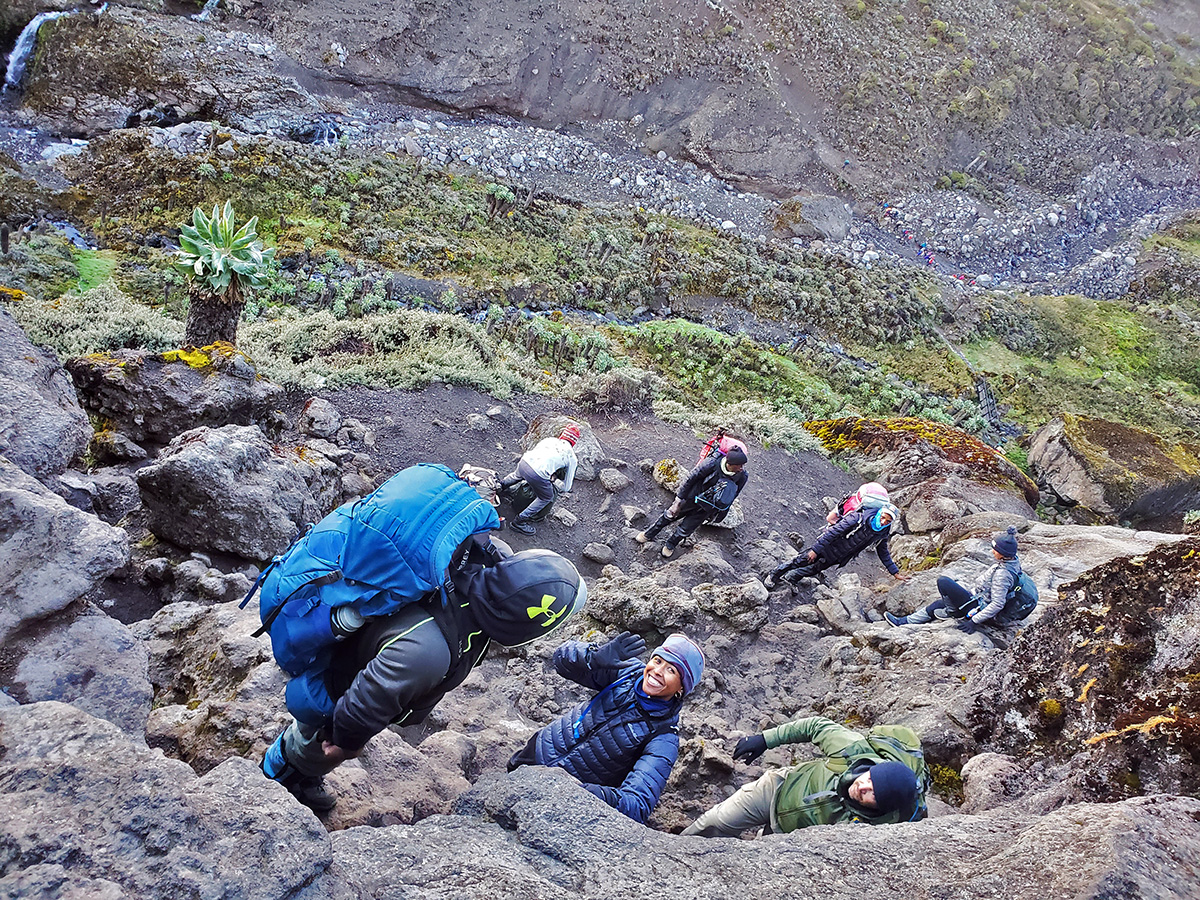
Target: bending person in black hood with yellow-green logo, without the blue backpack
x,y
395,670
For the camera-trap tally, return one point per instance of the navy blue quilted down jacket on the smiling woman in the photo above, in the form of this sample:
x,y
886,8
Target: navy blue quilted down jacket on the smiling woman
x,y
621,745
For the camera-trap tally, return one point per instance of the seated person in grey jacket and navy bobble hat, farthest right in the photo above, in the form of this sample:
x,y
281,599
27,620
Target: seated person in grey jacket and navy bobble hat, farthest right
x,y
1004,595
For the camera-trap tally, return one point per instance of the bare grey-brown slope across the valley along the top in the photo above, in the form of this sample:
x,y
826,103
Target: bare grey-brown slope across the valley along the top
x,y
824,97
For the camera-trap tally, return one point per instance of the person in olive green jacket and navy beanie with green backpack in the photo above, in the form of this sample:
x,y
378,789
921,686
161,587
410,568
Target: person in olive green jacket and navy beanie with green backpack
x,y
853,783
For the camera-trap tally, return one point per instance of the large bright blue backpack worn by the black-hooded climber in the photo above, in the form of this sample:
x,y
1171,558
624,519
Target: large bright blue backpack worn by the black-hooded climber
x,y
377,555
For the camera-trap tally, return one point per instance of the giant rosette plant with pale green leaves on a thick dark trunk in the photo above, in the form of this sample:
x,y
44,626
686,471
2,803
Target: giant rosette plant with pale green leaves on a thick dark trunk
x,y
224,265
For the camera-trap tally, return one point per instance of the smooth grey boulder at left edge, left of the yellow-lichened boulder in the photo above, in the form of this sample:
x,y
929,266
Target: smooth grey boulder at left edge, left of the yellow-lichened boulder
x,y
43,427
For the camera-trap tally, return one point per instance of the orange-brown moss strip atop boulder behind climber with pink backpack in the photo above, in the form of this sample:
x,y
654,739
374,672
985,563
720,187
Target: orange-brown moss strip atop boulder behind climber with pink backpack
x,y
872,437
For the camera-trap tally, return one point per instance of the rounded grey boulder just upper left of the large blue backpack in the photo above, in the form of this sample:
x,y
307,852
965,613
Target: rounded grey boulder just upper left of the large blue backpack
x,y
232,490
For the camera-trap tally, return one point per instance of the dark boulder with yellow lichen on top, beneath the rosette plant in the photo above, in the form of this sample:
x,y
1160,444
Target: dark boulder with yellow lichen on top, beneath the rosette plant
x,y
153,398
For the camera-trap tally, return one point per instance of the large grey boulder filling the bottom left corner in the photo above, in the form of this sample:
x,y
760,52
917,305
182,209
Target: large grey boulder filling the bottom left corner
x,y
91,809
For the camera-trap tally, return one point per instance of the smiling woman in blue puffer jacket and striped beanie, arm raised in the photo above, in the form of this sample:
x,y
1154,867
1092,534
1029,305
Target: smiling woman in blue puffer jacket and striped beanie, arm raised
x,y
622,745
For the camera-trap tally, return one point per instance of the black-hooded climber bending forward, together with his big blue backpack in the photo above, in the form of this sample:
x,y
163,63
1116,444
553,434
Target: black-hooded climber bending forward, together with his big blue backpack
x,y
387,605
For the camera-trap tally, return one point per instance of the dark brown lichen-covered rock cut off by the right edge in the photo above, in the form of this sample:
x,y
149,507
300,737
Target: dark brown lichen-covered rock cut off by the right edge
x,y
1107,679
